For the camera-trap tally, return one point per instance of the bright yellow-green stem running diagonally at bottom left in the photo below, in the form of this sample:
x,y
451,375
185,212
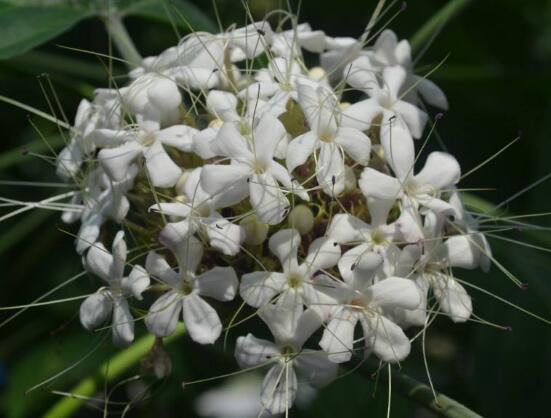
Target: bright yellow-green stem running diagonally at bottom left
x,y
107,373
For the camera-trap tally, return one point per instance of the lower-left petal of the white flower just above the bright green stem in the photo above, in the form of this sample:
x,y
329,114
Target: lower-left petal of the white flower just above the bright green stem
x,y
163,315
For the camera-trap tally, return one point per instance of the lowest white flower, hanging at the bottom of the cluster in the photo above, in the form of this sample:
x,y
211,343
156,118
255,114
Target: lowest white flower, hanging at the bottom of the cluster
x,y
291,328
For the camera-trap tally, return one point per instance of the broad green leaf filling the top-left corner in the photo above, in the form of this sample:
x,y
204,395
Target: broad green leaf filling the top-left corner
x,y
25,27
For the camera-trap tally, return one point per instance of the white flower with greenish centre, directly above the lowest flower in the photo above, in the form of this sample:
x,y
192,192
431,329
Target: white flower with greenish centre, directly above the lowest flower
x,y
298,284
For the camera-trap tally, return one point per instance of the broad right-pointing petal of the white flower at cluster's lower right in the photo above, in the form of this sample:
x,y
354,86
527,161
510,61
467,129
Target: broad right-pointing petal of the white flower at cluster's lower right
x,y
394,292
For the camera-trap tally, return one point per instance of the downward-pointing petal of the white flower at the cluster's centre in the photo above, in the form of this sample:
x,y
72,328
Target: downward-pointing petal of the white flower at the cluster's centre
x,y
267,199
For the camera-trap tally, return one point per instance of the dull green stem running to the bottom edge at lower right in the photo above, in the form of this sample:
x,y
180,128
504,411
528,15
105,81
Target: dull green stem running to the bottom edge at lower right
x,y
418,392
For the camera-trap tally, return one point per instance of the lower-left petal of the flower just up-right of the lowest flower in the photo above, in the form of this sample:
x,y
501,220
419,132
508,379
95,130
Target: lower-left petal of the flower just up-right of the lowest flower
x,y
338,337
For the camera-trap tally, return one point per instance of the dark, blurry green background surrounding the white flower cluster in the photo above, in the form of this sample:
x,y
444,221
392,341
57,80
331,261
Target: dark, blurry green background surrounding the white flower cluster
x,y
498,82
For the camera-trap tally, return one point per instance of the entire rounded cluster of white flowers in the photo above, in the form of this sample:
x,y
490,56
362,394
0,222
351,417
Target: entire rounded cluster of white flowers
x,y
293,187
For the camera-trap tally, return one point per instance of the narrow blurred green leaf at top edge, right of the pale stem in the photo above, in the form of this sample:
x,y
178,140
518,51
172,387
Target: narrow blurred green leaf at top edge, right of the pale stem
x,y
181,13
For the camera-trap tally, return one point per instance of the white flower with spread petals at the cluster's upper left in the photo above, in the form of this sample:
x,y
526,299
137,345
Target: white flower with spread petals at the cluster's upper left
x,y
145,140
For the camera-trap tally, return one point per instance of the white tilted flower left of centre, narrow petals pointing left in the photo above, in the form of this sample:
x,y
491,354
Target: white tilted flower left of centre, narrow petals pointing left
x,y
200,214
